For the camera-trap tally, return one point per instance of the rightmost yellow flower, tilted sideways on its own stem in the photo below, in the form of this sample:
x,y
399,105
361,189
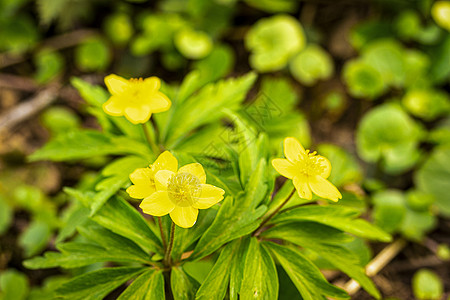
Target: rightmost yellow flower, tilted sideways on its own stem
x,y
308,171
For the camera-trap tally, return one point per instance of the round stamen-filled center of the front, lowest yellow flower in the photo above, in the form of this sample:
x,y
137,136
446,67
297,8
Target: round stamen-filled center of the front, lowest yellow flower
x,y
184,189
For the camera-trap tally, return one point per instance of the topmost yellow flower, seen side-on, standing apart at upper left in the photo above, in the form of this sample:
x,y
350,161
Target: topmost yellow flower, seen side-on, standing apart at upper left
x,y
136,99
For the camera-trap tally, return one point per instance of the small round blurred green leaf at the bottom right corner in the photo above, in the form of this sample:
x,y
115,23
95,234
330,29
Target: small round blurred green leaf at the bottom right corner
x,y
427,285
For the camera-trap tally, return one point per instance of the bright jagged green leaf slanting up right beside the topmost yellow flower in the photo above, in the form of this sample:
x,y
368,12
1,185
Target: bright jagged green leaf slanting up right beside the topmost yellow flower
x,y
199,109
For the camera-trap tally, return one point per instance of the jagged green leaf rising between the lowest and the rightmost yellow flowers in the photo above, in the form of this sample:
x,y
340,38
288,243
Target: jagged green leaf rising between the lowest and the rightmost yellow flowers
x,y
236,217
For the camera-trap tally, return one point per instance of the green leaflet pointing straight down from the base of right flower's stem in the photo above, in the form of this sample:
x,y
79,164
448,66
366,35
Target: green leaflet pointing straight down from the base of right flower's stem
x,y
260,279
